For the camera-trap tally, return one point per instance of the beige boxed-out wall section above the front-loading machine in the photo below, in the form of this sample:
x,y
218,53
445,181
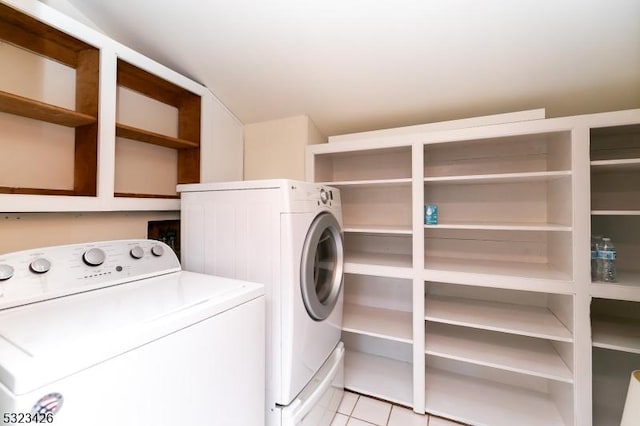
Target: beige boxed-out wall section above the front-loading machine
x,y
276,149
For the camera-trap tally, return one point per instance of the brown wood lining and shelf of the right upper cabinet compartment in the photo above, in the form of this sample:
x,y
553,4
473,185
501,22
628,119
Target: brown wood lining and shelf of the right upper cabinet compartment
x,y
189,110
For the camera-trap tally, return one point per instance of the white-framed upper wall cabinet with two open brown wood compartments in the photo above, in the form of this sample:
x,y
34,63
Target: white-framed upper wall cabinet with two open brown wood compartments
x,y
91,125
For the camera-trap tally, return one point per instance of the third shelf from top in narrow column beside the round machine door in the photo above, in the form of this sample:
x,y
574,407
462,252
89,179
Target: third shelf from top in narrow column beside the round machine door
x,y
379,264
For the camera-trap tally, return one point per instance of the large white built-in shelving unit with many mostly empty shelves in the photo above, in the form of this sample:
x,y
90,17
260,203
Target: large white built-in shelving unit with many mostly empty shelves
x,y
484,317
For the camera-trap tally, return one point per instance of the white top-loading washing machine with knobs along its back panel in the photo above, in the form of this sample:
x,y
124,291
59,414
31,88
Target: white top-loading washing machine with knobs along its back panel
x,y
115,333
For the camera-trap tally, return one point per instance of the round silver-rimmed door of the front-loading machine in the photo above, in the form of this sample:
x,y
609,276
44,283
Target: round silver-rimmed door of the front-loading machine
x,y
321,268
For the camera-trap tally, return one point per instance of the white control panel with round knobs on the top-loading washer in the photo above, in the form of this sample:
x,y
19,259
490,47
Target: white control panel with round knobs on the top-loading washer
x,y
40,274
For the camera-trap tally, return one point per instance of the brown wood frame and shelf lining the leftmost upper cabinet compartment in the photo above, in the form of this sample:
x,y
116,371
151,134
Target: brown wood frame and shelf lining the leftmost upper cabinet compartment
x,y
27,33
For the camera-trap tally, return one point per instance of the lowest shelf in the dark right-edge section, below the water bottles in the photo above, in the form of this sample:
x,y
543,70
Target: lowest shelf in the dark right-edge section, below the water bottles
x,y
616,333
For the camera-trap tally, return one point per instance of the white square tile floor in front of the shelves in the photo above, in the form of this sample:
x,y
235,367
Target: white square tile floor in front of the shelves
x,y
360,410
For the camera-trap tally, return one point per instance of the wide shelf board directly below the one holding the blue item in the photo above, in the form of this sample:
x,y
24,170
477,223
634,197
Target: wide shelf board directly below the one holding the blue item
x,y
513,275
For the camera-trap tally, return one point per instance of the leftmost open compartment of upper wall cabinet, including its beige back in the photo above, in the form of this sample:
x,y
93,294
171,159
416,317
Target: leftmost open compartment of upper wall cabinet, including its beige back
x,y
45,47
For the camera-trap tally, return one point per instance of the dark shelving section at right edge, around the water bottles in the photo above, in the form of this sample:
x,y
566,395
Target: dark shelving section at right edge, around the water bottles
x,y
615,308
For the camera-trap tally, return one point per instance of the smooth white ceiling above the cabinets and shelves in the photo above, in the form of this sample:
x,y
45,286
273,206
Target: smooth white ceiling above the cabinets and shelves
x,y
355,65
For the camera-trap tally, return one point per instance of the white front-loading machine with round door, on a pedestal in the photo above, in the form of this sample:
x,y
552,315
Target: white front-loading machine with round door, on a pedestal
x,y
286,235
